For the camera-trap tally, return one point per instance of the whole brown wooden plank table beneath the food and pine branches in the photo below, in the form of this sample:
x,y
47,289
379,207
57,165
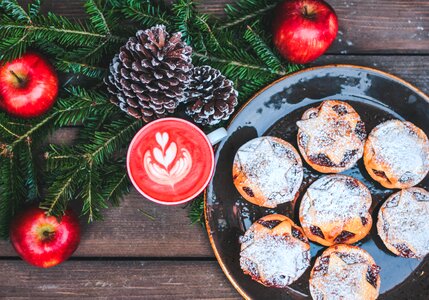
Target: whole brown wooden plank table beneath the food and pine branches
x,y
130,256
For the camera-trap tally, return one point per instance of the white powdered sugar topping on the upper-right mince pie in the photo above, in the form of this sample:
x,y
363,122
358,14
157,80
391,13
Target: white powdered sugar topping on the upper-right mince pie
x,y
404,154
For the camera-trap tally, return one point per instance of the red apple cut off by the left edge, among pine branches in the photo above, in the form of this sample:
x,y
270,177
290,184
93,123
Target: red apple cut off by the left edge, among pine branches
x,y
28,86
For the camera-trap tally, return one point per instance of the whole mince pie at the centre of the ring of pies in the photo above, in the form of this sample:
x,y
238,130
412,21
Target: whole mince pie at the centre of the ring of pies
x,y
335,210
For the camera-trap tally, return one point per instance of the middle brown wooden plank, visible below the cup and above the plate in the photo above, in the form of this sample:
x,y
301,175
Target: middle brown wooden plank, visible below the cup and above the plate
x,y
127,232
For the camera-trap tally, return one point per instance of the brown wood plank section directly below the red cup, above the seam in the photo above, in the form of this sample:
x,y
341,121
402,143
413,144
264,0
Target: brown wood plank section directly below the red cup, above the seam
x,y
127,232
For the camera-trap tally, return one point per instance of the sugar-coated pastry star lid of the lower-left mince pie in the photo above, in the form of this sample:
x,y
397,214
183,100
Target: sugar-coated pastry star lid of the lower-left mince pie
x,y
275,260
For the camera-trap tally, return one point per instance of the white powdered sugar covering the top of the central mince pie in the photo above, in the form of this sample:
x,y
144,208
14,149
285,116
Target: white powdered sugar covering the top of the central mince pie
x,y
334,198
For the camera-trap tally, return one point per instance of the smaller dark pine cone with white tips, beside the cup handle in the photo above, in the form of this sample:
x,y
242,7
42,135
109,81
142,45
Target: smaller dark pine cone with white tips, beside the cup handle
x,y
211,96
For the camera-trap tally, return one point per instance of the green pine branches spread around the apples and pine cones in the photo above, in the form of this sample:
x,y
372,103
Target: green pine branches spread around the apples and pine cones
x,y
93,170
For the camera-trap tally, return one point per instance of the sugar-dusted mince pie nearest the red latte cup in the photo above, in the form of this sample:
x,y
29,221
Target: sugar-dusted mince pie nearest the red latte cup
x,y
267,171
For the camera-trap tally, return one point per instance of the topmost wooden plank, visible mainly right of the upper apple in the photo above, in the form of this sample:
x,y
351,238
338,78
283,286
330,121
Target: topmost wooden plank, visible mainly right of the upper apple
x,y
365,26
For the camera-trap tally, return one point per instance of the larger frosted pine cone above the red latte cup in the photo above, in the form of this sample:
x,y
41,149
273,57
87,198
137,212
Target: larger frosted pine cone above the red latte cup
x,y
149,76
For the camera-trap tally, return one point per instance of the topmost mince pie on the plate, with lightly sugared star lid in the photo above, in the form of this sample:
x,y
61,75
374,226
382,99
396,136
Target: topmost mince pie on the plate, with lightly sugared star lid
x,y
331,136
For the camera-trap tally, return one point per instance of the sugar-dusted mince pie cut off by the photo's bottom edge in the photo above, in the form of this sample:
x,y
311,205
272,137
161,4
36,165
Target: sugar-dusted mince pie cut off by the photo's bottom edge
x,y
345,272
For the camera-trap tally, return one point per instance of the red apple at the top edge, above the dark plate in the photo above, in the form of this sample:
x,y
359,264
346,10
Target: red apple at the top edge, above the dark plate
x,y
304,29
